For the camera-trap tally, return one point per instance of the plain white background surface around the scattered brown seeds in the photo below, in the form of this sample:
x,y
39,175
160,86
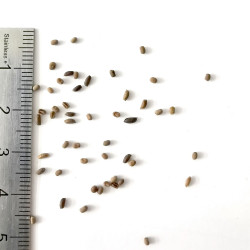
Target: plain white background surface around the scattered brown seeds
x,y
185,40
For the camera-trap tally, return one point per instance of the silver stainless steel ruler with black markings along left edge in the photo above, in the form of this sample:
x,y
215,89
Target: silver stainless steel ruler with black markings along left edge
x,y
16,80
